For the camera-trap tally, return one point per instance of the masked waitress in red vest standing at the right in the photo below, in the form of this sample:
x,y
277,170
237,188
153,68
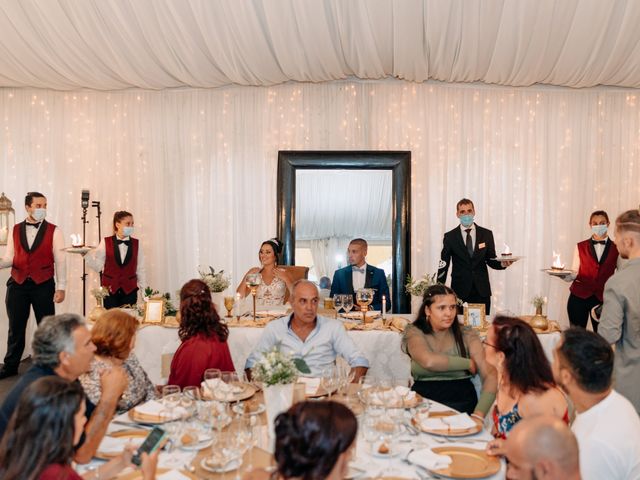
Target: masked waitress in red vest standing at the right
x,y
595,261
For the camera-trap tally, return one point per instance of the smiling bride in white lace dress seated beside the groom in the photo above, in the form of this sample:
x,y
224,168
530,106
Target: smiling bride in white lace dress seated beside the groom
x,y
275,284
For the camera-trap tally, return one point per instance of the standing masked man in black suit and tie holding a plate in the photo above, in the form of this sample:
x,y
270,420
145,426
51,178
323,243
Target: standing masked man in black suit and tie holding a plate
x,y
471,248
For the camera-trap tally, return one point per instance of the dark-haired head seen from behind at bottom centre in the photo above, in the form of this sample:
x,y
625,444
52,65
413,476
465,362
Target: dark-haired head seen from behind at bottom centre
x,y
314,441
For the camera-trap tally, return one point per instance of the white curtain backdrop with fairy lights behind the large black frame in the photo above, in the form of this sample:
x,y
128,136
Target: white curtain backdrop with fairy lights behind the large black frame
x,y
198,167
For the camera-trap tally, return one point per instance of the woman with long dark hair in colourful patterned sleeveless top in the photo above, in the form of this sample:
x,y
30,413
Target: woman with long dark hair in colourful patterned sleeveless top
x,y
525,381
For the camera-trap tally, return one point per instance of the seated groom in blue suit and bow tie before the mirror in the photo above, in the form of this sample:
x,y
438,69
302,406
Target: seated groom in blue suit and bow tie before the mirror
x,y
358,275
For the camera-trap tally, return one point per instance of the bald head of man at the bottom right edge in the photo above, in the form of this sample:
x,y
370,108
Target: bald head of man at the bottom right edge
x,y
542,448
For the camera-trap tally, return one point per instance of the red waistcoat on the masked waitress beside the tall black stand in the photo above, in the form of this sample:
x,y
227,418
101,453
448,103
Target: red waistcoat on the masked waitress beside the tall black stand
x,y
116,275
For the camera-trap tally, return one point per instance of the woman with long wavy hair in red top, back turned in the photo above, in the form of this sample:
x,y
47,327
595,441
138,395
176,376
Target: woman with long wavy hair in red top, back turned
x,y
203,336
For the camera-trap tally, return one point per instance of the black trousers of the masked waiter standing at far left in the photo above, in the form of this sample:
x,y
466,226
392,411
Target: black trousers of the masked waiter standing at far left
x,y
19,300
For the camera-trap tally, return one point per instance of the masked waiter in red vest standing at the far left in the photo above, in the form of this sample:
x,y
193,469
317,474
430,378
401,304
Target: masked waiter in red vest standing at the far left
x,y
34,252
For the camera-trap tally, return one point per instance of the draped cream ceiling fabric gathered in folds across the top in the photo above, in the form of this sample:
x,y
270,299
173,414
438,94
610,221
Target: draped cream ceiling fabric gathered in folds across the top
x,y
156,44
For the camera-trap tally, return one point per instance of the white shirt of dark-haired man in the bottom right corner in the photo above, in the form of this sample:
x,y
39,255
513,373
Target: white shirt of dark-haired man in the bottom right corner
x,y
608,437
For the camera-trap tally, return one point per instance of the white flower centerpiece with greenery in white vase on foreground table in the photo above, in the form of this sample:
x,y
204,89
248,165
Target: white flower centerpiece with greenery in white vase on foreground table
x,y
277,371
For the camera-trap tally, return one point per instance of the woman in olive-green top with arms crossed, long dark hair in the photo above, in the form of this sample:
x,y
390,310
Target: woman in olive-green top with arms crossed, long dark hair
x,y
444,356
